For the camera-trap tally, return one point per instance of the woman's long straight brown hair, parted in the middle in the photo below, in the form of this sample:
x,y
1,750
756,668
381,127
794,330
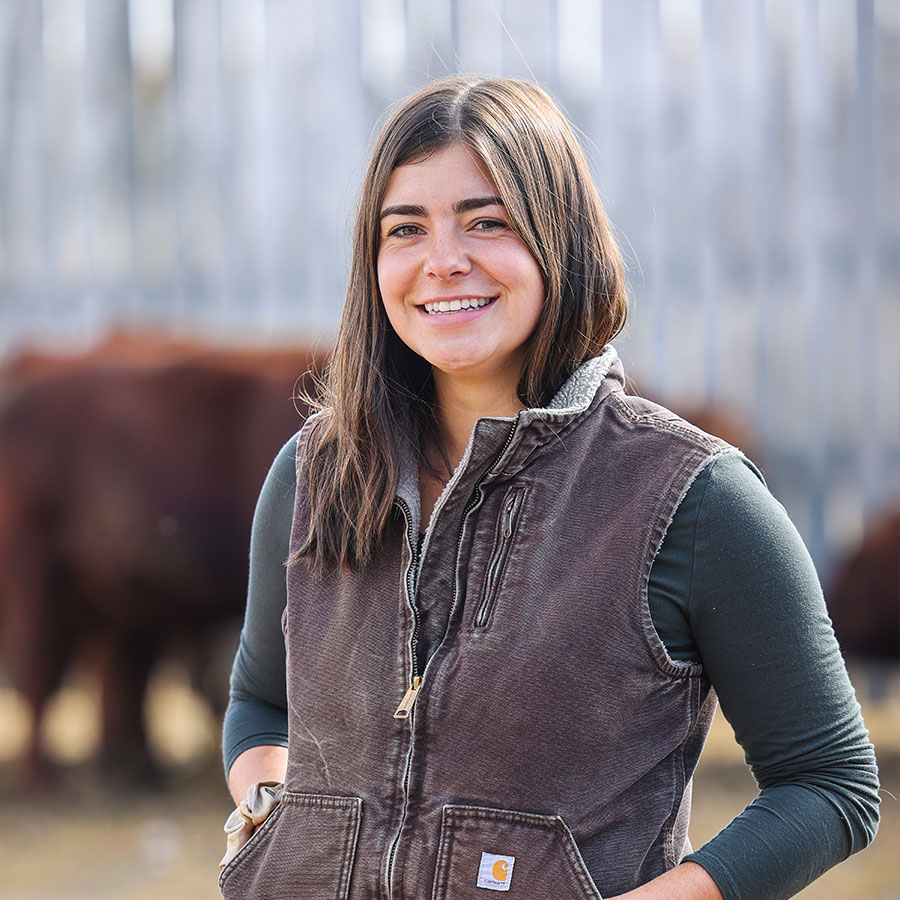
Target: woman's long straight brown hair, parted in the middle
x,y
378,394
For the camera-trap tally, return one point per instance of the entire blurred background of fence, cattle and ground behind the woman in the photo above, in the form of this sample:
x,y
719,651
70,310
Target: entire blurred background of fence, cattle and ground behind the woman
x,y
176,180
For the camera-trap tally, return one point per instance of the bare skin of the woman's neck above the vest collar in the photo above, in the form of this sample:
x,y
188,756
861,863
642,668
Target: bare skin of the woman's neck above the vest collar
x,y
462,402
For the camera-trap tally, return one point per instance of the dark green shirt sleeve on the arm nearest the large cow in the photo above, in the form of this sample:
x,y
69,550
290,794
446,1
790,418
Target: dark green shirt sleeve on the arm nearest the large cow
x,y
257,708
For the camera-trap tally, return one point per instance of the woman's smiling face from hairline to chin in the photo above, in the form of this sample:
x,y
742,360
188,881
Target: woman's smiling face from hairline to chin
x,y
459,286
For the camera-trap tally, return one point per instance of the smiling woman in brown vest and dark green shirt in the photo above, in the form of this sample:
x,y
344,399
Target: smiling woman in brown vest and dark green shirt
x,y
512,588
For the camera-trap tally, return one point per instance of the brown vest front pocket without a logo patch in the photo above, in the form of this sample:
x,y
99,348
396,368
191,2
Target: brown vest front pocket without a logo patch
x,y
304,850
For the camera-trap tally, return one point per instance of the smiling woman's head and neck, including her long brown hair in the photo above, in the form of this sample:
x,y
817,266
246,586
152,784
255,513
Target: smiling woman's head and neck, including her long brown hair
x,y
471,182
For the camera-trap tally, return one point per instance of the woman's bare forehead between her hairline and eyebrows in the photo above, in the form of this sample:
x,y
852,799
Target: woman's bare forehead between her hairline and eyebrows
x,y
450,173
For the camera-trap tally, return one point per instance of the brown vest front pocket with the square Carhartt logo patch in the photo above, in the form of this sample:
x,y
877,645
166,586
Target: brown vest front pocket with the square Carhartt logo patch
x,y
534,856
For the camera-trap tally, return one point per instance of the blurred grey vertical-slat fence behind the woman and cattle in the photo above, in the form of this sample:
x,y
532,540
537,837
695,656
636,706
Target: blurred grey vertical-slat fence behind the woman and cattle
x,y
192,164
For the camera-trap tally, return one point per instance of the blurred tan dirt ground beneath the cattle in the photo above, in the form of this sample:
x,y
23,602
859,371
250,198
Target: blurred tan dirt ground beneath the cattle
x,y
87,842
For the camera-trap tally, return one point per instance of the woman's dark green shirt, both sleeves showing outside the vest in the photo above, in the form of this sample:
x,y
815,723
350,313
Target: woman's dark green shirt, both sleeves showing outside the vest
x,y
732,587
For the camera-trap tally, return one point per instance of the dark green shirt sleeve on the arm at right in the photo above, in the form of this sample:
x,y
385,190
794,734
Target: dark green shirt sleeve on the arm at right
x,y
760,626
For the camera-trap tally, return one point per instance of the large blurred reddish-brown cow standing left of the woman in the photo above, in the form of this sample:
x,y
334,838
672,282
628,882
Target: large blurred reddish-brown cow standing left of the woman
x,y
127,486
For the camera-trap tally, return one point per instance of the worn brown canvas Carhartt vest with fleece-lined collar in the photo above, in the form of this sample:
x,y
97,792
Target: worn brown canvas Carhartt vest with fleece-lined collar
x,y
549,748
